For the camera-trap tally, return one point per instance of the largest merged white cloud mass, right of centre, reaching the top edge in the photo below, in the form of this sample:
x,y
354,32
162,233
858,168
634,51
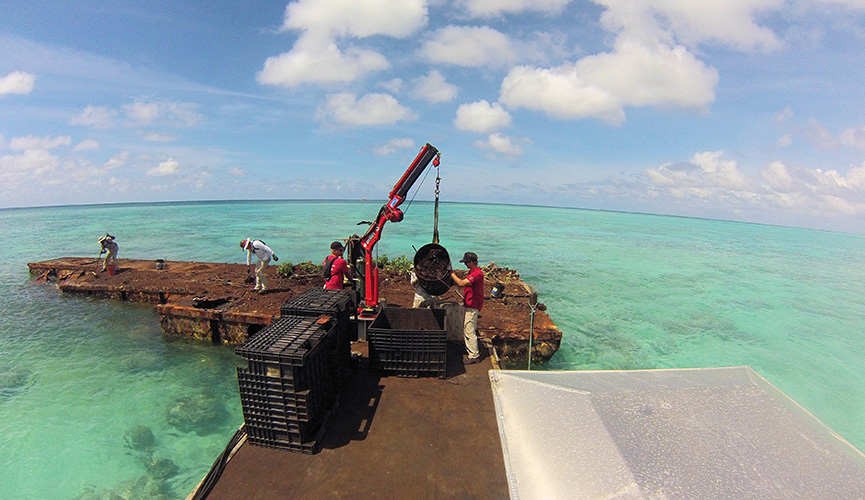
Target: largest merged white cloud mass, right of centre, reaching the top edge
x,y
650,64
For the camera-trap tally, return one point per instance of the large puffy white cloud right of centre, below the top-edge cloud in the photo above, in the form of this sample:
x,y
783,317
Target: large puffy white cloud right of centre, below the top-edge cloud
x,y
600,86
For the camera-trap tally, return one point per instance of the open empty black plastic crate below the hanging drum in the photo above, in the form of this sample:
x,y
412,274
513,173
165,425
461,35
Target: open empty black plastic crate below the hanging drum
x,y
410,342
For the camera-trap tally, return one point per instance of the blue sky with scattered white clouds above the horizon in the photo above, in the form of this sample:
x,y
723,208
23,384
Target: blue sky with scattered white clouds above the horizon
x,y
744,110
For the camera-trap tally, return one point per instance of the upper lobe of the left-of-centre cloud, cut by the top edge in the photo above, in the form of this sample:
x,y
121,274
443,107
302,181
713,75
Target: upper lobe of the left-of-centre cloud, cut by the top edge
x,y
356,18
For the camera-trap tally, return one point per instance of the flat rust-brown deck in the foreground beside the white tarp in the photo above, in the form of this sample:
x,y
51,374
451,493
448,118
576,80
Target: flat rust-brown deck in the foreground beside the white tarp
x,y
389,438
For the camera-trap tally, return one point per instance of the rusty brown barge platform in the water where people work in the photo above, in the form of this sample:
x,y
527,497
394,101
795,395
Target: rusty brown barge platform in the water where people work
x,y
211,301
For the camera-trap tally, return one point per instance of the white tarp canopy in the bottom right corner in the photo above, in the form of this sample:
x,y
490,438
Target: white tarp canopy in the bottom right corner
x,y
709,433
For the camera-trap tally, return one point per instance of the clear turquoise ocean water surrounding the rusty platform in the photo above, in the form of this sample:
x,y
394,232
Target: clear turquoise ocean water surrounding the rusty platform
x,y
95,400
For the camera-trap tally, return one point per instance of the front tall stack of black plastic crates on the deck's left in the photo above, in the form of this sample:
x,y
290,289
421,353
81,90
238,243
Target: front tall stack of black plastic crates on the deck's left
x,y
288,389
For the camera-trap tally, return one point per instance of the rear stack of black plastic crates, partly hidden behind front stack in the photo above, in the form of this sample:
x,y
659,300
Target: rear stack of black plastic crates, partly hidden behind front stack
x,y
336,303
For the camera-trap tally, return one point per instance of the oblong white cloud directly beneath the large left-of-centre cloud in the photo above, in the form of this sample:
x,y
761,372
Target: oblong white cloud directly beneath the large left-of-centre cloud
x,y
371,109
